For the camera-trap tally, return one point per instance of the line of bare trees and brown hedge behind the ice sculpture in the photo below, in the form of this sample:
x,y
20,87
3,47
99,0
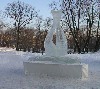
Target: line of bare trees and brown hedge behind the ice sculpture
x,y
80,20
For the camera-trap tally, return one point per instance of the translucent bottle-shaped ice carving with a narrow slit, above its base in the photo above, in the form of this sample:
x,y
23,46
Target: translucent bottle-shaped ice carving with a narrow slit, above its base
x,y
60,48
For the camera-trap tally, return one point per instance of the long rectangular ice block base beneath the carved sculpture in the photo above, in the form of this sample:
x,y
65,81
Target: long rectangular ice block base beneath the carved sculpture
x,y
76,71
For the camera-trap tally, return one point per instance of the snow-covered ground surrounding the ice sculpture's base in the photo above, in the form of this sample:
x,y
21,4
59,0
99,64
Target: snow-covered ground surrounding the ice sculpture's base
x,y
12,73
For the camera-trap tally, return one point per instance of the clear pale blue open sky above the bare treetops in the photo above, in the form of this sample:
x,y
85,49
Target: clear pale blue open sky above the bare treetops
x,y
42,5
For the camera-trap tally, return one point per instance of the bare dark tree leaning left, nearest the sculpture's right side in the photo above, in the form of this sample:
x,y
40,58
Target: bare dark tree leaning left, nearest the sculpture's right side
x,y
71,10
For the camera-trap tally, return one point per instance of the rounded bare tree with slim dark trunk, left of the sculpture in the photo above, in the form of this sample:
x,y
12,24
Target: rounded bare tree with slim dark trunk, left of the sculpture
x,y
22,14
